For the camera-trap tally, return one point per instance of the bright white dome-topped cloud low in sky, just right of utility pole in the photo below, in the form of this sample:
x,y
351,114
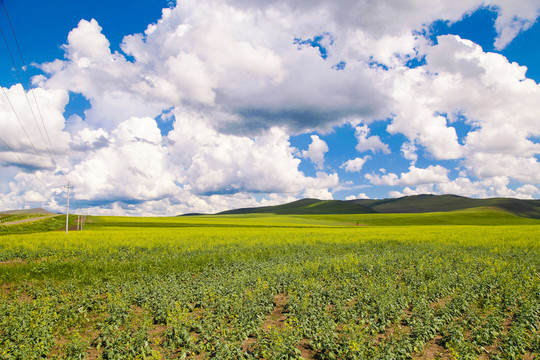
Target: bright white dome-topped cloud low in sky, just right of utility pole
x,y
134,166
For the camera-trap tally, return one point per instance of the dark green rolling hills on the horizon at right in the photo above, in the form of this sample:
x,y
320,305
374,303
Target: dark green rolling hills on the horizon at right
x,y
407,204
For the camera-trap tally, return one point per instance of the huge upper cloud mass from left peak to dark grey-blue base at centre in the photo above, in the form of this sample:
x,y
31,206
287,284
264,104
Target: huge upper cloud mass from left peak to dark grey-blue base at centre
x,y
192,55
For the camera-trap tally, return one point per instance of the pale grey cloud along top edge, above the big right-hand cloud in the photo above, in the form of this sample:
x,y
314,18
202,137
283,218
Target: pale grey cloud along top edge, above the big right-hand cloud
x,y
388,18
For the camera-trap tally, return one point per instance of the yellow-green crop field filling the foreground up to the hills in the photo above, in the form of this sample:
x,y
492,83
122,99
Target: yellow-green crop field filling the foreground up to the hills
x,y
275,287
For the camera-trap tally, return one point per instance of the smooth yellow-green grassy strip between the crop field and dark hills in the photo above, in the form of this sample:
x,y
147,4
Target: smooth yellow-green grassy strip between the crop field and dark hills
x,y
475,216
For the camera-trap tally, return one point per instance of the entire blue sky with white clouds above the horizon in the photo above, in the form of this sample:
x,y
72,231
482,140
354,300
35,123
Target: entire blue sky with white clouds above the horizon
x,y
160,107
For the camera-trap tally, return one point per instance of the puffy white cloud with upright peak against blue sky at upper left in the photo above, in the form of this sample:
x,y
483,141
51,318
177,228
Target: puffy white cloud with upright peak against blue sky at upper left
x,y
116,88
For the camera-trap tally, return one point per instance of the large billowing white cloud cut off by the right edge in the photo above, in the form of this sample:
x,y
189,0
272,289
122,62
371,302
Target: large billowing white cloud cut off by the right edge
x,y
498,106
